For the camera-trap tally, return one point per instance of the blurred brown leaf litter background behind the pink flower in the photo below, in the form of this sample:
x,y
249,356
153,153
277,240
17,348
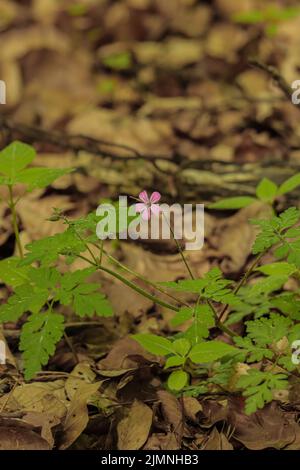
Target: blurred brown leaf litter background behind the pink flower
x,y
164,86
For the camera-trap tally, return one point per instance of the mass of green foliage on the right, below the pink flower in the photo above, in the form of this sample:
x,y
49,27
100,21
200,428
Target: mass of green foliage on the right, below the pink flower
x,y
269,335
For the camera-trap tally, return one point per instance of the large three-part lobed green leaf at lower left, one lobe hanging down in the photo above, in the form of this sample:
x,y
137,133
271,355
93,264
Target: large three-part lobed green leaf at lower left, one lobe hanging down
x,y
43,287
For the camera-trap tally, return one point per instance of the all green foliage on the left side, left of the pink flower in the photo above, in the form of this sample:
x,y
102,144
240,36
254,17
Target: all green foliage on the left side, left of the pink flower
x,y
38,289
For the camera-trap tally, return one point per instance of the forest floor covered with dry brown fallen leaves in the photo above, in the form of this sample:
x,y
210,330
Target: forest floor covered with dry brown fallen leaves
x,y
169,79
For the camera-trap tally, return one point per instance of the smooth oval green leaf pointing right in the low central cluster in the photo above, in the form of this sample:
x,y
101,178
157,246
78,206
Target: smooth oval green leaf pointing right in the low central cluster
x,y
210,351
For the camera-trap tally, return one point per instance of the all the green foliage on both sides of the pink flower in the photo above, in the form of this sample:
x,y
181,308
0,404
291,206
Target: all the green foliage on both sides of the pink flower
x,y
272,314
